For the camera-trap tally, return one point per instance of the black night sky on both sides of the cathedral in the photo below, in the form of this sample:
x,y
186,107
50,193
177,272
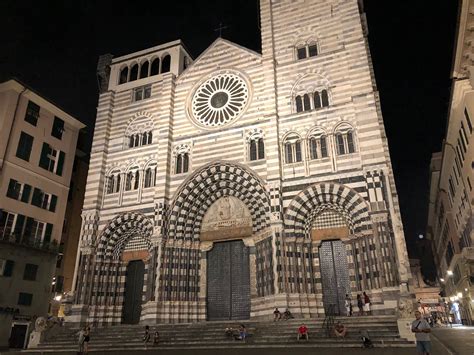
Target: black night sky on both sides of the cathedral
x,y
53,46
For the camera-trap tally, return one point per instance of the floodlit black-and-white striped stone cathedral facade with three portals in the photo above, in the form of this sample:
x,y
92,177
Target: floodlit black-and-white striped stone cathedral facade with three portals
x,y
224,186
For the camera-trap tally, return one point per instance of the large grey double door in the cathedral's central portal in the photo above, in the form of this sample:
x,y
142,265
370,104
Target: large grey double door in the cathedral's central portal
x,y
228,281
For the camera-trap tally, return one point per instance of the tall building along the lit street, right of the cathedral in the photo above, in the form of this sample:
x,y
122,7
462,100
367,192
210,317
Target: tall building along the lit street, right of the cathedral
x,y
450,218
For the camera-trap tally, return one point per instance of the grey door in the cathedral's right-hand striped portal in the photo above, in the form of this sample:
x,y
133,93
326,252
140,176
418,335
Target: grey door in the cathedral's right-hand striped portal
x,y
334,276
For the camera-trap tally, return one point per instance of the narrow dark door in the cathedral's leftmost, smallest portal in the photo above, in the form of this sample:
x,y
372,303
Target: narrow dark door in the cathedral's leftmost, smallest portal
x,y
132,304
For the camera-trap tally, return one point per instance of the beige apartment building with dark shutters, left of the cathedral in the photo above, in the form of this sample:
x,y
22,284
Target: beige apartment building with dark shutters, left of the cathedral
x,y
37,150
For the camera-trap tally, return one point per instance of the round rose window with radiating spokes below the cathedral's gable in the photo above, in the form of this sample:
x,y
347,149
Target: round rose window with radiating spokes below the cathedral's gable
x,y
220,99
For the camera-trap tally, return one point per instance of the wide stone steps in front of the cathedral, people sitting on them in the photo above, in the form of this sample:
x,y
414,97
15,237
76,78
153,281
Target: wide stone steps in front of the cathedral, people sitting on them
x,y
382,330
